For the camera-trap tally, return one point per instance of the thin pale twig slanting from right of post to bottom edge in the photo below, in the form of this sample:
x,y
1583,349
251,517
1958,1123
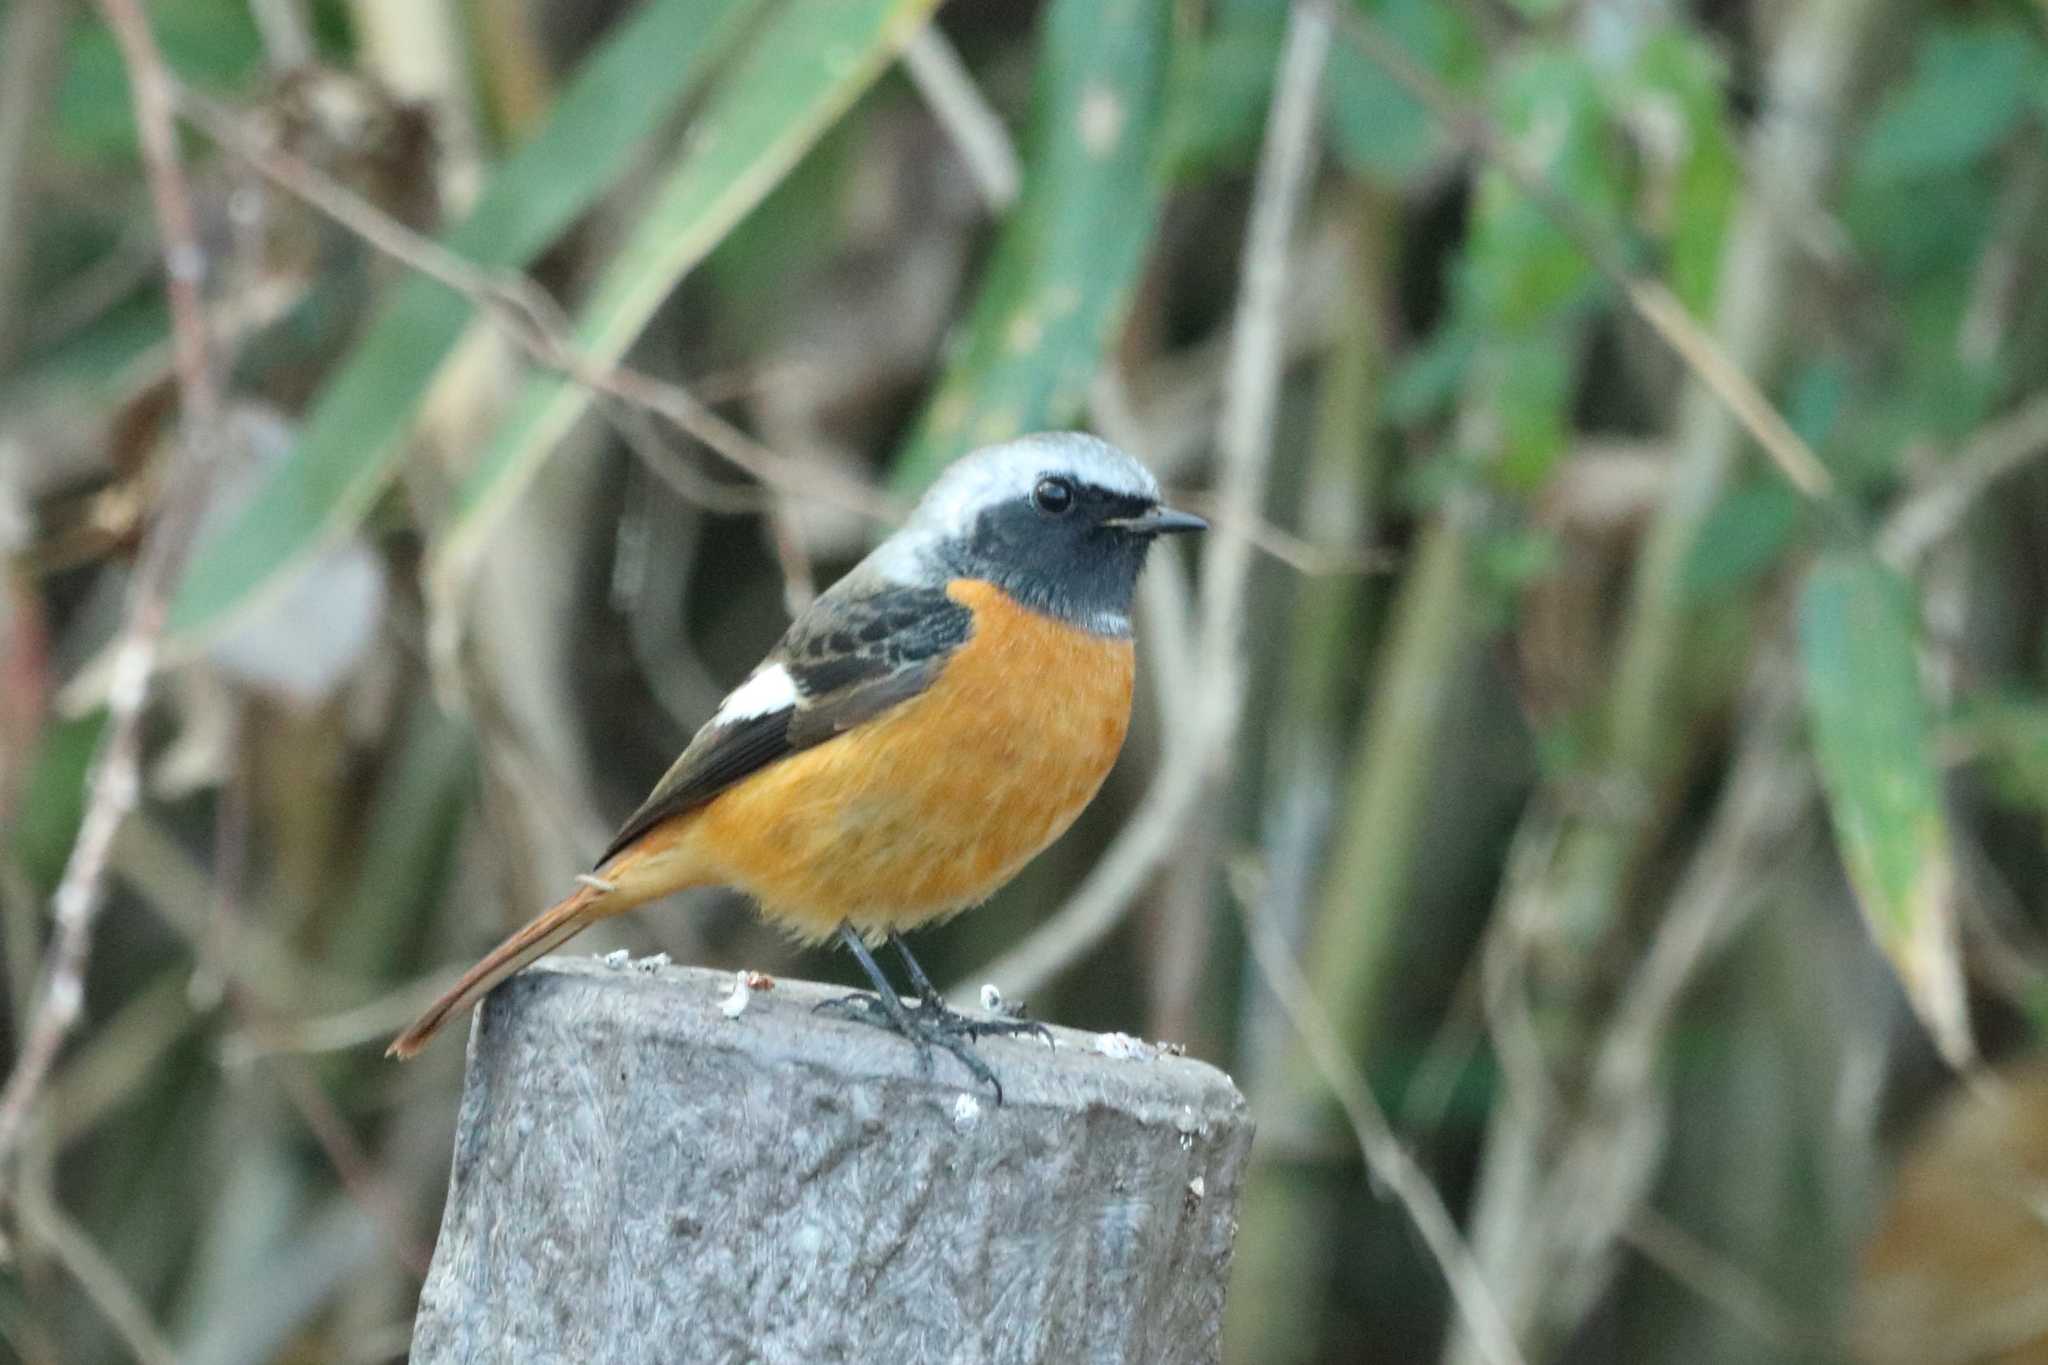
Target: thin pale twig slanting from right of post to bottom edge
x,y
1390,1163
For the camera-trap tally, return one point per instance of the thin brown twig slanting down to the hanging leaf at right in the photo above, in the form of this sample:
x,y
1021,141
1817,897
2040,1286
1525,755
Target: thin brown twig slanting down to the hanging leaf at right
x,y
1650,298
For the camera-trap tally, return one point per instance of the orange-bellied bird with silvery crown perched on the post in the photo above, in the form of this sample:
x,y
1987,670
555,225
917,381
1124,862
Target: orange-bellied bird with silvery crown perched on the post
x,y
927,728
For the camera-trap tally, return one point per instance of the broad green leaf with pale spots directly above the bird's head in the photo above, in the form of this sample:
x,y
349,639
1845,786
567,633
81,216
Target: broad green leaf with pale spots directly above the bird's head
x,y
1064,267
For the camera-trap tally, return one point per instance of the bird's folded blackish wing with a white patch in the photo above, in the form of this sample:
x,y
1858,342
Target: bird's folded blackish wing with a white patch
x,y
849,658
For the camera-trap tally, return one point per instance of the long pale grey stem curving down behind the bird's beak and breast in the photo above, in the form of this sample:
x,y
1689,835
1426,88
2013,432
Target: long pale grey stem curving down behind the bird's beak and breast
x,y
1201,740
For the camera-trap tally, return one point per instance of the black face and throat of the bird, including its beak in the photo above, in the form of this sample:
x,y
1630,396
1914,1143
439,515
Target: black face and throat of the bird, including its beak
x,y
1060,552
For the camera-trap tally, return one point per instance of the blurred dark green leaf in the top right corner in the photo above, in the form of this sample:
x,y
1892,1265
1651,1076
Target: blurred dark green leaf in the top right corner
x,y
1969,89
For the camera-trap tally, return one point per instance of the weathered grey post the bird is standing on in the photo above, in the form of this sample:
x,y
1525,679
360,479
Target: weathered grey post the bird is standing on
x,y
640,1178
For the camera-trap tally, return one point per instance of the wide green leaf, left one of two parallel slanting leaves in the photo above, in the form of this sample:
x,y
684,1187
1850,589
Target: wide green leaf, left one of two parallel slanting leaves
x,y
355,433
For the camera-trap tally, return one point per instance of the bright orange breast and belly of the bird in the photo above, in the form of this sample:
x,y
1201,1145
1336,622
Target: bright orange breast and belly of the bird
x,y
941,801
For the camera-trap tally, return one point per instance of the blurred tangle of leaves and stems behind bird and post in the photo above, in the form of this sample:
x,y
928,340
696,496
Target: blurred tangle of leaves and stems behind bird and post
x,y
1648,764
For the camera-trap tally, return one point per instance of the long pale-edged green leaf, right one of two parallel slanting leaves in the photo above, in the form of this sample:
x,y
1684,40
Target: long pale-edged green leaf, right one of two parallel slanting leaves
x,y
806,67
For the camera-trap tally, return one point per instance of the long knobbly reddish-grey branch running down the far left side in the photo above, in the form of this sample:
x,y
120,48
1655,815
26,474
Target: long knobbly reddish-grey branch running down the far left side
x,y
116,777
